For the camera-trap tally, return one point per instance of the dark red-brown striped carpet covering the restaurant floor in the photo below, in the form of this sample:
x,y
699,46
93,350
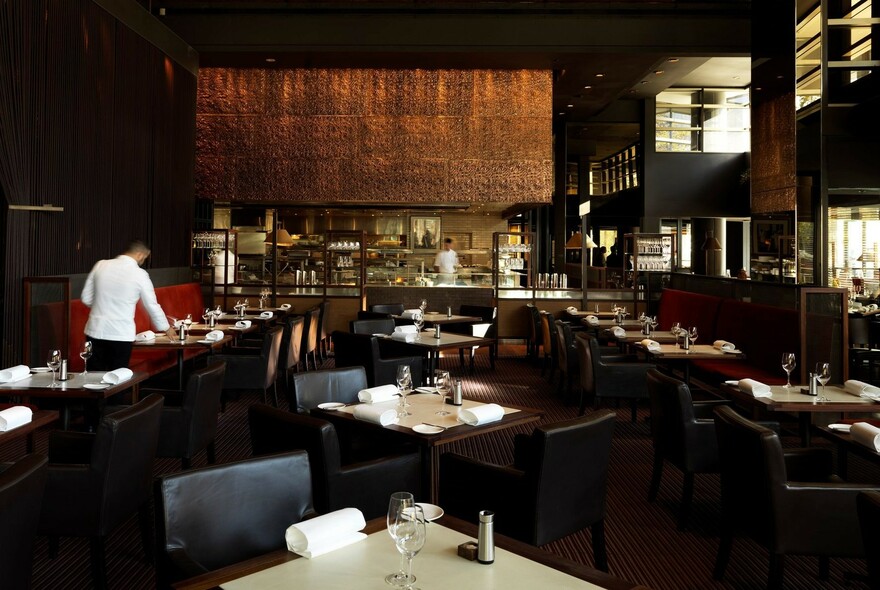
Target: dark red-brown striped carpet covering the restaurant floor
x,y
644,544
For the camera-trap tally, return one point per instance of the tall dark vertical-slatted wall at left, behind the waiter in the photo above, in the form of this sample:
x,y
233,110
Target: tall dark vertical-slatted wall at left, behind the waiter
x,y
95,119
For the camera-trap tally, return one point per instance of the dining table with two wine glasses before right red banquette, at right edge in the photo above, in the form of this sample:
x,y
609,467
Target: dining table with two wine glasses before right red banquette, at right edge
x,y
794,400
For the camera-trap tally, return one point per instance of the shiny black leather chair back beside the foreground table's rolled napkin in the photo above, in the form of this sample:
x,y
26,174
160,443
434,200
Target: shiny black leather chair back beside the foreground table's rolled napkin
x,y
215,516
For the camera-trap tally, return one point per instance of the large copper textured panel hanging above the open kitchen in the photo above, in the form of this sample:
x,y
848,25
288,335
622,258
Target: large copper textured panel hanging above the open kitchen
x,y
419,136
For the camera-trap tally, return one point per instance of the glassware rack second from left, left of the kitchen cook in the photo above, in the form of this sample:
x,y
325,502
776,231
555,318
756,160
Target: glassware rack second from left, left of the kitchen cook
x,y
344,255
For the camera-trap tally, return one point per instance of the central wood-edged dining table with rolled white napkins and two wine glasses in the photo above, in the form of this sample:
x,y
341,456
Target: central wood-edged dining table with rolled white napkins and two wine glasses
x,y
436,430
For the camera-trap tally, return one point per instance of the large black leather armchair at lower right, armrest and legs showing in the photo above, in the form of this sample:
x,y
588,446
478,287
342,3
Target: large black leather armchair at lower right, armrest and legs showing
x,y
786,500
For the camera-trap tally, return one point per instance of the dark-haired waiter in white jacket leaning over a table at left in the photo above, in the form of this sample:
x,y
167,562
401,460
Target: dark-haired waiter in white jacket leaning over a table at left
x,y
112,291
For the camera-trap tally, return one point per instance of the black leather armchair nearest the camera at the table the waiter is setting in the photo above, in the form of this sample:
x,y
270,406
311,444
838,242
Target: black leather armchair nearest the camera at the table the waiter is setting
x,y
248,368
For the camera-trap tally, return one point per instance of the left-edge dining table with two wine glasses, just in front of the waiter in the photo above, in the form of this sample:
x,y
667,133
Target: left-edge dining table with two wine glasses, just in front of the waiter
x,y
78,388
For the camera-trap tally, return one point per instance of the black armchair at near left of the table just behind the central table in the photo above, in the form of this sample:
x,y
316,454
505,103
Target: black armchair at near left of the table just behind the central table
x,y
362,350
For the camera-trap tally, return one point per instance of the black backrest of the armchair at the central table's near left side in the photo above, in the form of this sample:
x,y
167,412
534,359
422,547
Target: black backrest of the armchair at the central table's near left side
x,y
277,431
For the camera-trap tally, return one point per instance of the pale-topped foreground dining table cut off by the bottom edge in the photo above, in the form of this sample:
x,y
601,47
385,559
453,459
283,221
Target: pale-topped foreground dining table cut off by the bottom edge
x,y
365,563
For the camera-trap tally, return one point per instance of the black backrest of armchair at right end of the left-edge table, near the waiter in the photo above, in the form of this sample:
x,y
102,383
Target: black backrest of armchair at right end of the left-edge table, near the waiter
x,y
201,404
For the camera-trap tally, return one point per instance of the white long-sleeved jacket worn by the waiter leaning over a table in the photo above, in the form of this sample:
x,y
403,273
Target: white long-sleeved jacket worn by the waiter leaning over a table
x,y
112,291
